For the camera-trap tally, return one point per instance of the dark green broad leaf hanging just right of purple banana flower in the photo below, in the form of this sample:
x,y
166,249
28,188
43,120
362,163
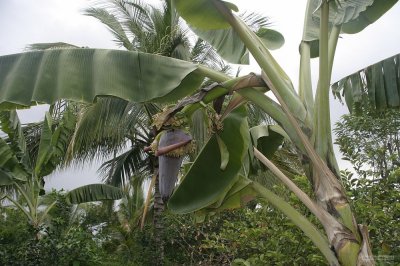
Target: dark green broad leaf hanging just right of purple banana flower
x,y
205,182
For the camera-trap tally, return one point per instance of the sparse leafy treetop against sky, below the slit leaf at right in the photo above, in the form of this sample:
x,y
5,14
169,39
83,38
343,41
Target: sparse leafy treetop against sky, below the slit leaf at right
x,y
371,141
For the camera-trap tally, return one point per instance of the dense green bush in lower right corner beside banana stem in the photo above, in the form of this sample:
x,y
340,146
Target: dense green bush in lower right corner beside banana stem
x,y
376,203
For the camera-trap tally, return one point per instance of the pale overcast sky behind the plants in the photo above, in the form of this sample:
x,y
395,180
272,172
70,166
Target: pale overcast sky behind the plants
x,y
24,22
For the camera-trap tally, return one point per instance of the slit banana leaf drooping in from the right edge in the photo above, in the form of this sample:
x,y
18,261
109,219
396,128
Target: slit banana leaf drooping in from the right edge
x,y
377,85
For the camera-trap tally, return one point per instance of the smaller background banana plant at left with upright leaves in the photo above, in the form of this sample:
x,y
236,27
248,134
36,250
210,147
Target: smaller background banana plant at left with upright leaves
x,y
22,173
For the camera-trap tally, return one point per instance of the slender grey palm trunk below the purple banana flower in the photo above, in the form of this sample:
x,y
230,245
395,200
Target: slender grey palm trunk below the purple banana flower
x,y
158,224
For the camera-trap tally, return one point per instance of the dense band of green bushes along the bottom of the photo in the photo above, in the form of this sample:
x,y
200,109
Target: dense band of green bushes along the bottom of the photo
x,y
255,235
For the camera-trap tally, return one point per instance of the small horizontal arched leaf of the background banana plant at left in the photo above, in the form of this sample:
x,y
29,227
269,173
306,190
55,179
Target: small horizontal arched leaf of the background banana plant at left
x,y
94,192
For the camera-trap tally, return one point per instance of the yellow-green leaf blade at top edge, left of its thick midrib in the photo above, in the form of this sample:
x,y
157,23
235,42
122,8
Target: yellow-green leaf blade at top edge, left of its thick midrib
x,y
202,14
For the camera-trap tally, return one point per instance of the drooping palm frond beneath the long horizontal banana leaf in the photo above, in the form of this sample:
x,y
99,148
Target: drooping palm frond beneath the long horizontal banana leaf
x,y
105,126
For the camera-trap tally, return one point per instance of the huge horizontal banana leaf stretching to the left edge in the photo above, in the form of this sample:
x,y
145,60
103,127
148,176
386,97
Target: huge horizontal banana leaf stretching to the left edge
x,y
84,74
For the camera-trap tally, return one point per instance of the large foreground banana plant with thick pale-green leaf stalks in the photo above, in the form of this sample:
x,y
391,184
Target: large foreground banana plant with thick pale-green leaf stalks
x,y
218,178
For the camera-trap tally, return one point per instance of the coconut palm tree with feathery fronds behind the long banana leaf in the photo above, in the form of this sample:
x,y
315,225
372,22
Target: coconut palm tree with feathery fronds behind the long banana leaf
x,y
120,129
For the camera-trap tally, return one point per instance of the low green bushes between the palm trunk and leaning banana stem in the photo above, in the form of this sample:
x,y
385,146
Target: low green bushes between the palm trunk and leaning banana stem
x,y
260,236
